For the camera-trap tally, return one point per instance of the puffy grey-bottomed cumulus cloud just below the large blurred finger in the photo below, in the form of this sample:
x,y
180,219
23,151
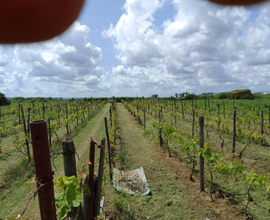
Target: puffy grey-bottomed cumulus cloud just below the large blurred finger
x,y
69,58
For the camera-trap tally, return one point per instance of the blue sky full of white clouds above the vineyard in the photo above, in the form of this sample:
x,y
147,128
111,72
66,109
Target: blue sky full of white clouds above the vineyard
x,y
140,48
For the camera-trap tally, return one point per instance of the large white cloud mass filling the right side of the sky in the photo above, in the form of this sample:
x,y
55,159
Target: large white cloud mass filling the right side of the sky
x,y
203,48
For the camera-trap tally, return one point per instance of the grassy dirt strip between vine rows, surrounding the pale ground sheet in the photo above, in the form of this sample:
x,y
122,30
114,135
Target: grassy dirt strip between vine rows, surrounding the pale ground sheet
x,y
173,195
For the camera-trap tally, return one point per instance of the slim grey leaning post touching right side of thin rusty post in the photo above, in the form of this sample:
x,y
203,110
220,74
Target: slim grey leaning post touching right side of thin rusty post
x,y
99,179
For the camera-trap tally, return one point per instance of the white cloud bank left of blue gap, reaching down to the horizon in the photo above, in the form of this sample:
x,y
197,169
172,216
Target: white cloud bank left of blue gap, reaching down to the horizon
x,y
70,62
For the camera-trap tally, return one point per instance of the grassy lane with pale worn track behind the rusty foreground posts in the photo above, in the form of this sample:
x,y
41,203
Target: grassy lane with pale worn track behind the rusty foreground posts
x,y
14,199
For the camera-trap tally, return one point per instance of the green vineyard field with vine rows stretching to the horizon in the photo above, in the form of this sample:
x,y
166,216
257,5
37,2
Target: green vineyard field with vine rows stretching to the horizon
x,y
234,184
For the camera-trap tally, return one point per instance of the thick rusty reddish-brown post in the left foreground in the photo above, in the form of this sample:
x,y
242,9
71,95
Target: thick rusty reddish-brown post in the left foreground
x,y
44,173
